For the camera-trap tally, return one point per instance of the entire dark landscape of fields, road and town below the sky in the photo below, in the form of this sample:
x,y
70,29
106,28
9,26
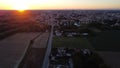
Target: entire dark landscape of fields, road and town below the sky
x,y
60,39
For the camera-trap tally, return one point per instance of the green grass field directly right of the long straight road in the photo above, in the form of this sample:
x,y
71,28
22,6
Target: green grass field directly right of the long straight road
x,y
71,42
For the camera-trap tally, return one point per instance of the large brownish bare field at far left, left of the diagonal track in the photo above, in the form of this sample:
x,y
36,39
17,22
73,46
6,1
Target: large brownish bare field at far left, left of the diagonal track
x,y
13,47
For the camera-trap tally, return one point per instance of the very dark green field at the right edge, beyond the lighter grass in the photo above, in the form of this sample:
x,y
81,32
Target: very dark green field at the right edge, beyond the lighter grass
x,y
106,41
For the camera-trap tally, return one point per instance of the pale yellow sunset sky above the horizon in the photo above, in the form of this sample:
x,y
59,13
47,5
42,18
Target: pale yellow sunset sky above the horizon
x,y
58,4
